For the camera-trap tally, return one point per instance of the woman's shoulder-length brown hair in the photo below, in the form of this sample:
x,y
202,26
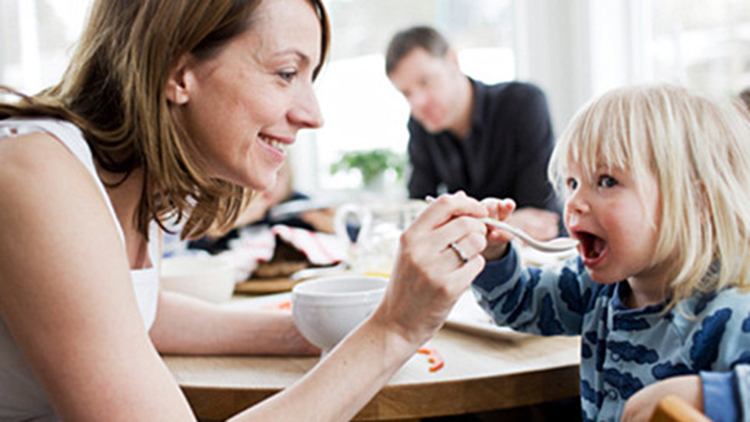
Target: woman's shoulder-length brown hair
x,y
114,91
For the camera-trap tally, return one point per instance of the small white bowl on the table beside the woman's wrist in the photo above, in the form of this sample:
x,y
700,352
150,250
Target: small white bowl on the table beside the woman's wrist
x,y
326,309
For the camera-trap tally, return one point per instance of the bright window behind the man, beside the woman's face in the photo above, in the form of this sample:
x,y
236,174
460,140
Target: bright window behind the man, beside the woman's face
x,y
361,108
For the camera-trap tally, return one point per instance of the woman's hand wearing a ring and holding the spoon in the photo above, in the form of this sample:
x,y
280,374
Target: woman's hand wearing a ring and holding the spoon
x,y
430,275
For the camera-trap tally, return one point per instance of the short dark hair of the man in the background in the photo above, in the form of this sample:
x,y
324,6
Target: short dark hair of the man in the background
x,y
415,37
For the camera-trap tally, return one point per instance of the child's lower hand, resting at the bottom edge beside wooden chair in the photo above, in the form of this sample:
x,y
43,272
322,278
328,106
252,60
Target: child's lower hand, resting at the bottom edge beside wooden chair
x,y
641,405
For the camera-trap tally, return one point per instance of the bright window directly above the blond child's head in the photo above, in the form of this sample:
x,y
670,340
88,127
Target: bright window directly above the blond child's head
x,y
702,45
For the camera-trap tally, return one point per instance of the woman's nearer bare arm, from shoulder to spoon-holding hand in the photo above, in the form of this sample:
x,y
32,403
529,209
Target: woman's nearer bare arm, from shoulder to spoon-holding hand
x,y
67,298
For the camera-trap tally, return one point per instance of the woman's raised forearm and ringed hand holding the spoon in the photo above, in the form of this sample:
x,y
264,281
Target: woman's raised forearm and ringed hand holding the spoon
x,y
428,279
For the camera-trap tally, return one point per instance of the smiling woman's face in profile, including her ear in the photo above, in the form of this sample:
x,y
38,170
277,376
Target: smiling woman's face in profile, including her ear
x,y
243,107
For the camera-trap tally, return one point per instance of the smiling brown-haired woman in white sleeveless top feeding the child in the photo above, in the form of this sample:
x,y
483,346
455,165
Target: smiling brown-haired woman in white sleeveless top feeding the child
x,y
178,106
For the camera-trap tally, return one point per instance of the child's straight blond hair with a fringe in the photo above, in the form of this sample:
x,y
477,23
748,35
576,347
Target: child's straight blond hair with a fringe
x,y
698,151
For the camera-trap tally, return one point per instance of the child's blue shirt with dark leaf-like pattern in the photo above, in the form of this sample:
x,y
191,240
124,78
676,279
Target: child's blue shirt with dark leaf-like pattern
x,y
622,350
